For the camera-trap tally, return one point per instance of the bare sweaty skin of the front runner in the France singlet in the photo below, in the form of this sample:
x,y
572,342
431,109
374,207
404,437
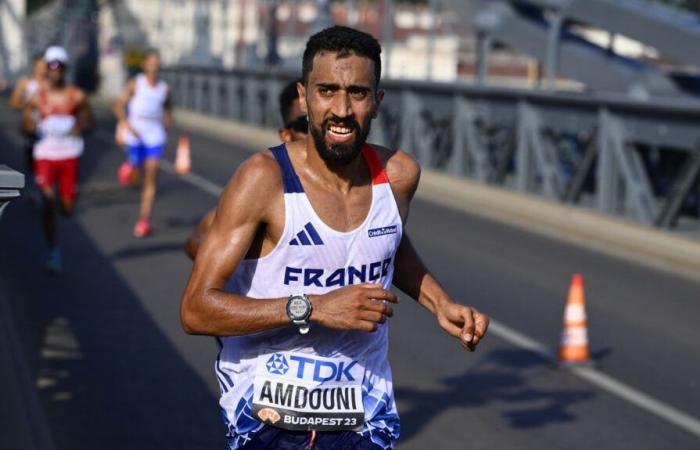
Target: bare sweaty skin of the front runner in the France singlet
x,y
338,89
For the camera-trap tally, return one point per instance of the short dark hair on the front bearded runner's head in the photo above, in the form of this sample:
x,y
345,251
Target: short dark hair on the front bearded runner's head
x,y
344,41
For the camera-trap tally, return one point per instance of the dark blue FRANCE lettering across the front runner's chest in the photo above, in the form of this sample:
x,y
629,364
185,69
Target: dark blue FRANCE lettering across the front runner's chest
x,y
339,277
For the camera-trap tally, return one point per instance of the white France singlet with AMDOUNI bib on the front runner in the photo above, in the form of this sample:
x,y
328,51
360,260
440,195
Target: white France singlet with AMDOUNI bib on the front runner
x,y
325,379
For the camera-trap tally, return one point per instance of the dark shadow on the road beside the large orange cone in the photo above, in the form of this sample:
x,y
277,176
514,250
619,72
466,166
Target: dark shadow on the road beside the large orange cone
x,y
500,379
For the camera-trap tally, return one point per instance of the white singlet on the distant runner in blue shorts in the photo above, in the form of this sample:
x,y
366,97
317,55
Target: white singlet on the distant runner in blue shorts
x,y
146,113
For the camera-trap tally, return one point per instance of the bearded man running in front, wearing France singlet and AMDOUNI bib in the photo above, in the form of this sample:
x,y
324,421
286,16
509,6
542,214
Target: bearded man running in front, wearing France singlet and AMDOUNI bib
x,y
312,233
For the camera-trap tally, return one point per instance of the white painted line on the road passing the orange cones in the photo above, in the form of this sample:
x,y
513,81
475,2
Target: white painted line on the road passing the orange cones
x,y
633,396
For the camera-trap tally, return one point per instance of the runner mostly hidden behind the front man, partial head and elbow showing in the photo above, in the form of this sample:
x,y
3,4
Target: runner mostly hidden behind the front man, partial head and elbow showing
x,y
295,126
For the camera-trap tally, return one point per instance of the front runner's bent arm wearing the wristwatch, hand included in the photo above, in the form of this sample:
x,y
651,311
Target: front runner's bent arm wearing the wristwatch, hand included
x,y
253,198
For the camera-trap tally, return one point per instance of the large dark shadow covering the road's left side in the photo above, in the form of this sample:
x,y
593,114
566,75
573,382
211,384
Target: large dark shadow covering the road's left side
x,y
106,374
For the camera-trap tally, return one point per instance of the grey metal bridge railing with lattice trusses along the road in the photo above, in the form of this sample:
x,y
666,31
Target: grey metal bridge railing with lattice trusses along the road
x,y
639,159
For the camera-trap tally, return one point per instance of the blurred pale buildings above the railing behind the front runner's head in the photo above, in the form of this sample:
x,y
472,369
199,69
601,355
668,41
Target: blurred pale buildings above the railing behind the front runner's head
x,y
238,33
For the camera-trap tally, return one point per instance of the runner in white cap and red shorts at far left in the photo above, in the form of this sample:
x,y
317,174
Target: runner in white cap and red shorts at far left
x,y
59,114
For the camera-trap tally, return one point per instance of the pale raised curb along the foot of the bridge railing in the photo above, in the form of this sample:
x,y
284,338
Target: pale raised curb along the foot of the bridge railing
x,y
590,229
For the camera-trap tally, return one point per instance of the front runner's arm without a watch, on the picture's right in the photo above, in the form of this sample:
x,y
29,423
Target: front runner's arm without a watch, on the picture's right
x,y
411,275
